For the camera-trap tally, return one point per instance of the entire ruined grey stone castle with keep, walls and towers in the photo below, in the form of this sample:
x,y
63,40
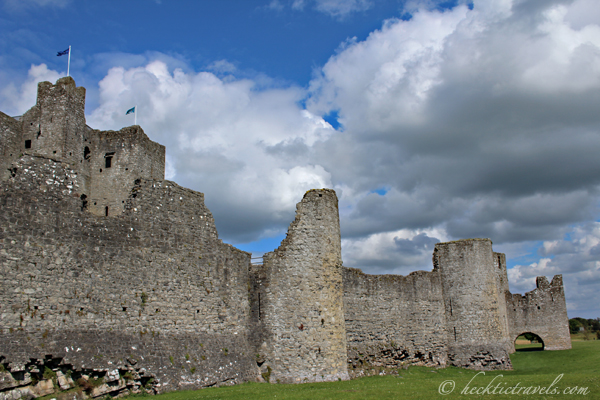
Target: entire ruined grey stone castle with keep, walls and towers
x,y
114,279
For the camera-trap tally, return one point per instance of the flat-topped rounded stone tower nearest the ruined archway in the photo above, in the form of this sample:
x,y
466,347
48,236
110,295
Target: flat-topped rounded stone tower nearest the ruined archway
x,y
476,330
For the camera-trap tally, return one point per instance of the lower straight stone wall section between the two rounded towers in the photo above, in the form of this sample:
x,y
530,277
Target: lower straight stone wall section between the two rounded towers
x,y
393,320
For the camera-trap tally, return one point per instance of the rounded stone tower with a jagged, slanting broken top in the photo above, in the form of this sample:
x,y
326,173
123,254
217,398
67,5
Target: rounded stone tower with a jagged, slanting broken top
x,y
302,319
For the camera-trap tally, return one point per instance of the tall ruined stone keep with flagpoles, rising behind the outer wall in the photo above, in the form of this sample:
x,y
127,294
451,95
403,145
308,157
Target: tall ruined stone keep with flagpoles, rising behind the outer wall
x,y
107,162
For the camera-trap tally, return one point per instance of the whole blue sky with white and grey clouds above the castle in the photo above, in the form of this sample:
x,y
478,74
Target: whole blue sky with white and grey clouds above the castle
x,y
433,121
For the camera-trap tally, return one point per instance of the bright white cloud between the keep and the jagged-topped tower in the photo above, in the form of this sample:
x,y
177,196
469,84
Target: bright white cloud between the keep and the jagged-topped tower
x,y
224,137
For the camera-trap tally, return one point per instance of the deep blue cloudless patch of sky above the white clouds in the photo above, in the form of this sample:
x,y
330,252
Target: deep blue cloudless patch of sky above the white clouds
x,y
260,37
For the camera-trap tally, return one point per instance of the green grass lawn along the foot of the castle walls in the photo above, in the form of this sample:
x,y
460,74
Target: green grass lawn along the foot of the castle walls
x,y
580,367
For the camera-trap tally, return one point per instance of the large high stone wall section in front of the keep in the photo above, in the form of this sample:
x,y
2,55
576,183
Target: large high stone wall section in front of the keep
x,y
153,288
